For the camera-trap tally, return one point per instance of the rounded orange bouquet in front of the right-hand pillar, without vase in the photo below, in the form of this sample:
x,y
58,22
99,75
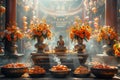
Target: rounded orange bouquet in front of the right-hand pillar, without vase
x,y
107,33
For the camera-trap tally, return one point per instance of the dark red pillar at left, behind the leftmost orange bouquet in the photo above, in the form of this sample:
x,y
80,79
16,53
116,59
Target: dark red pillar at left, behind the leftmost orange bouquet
x,y
10,20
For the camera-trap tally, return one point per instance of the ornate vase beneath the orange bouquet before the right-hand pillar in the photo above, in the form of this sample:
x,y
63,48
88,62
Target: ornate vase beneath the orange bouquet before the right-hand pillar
x,y
109,48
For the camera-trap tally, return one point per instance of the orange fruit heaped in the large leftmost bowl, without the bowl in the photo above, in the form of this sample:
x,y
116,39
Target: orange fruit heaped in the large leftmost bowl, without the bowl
x,y
15,65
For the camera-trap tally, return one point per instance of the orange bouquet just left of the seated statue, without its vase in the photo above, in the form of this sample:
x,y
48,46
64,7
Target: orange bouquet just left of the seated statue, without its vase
x,y
40,30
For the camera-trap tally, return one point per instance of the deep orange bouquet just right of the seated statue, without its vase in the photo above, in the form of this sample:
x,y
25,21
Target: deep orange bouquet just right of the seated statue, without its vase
x,y
80,31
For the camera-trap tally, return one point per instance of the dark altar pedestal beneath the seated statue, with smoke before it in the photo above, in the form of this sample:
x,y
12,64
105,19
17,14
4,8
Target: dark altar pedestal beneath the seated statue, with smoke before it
x,y
48,60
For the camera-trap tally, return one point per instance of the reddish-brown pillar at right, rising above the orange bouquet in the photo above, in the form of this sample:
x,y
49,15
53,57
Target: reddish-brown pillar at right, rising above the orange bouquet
x,y
111,13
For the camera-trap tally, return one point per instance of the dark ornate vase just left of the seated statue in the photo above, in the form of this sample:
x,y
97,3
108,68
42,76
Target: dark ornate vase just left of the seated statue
x,y
40,45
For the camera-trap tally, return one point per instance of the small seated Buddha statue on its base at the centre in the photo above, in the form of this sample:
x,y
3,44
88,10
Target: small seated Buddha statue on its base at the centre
x,y
60,45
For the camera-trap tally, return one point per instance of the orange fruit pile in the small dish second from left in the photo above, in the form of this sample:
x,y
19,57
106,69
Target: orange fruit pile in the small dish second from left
x,y
37,70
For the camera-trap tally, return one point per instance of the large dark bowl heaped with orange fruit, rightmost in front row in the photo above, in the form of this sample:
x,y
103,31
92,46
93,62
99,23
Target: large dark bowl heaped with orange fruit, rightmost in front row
x,y
104,71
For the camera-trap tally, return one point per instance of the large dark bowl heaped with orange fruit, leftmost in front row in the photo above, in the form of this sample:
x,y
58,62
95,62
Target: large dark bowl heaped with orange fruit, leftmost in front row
x,y
14,69
